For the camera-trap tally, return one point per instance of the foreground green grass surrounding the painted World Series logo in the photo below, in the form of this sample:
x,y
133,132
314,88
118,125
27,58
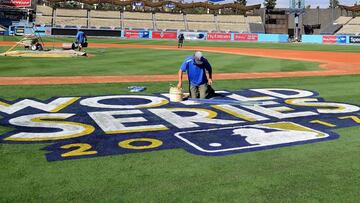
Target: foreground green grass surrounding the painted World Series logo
x,y
319,172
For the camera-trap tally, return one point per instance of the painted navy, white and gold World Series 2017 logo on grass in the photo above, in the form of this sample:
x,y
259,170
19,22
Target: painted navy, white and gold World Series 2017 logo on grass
x,y
234,122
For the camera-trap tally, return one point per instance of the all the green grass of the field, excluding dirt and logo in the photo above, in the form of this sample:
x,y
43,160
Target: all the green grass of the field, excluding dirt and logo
x,y
319,172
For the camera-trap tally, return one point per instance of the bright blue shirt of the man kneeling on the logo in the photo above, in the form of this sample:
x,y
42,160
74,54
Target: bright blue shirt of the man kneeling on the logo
x,y
196,73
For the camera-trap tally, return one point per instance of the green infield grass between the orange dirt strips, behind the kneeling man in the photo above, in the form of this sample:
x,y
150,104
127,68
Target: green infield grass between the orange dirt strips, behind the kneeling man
x,y
141,62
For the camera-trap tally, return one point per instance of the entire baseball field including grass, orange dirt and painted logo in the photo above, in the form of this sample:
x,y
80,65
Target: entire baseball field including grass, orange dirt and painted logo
x,y
154,164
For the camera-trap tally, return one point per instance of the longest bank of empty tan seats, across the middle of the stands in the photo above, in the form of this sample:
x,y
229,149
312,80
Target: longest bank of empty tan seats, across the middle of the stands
x,y
149,21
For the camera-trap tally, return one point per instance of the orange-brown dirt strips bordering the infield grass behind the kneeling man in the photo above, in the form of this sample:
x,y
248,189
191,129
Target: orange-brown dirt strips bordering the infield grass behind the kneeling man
x,y
332,63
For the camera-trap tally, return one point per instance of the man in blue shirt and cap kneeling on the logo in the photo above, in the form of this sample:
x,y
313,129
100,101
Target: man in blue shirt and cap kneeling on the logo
x,y
199,73
